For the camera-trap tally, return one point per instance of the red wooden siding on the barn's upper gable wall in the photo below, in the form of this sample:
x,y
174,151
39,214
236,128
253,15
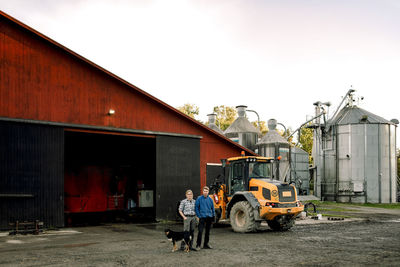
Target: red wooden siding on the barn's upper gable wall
x,y
42,80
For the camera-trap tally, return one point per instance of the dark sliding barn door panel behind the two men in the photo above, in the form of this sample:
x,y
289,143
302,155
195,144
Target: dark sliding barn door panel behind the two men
x,y
177,169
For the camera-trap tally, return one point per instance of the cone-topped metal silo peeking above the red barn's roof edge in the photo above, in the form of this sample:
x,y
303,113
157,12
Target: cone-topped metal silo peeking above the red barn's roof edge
x,y
242,131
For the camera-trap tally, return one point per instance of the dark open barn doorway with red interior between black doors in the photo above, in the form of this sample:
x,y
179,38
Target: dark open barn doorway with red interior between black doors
x,y
109,177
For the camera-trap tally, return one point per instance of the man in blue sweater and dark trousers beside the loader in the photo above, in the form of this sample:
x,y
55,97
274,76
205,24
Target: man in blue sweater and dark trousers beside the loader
x,y
205,211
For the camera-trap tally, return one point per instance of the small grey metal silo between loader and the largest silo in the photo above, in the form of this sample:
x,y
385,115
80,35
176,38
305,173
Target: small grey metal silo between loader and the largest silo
x,y
299,170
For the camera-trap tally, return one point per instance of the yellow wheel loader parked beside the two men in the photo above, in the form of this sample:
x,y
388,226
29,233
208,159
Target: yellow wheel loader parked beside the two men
x,y
249,194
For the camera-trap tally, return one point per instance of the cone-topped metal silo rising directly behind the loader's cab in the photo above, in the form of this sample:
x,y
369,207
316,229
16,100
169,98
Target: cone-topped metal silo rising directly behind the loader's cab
x,y
272,144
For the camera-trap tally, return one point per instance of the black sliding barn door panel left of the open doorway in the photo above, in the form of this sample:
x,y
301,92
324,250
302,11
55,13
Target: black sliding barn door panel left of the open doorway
x,y
31,174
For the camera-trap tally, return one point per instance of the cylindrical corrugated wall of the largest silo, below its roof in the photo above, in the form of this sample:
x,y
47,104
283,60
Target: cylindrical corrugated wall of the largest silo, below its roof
x,y
366,155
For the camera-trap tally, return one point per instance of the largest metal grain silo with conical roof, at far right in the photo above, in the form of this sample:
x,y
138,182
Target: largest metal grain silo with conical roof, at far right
x,y
355,154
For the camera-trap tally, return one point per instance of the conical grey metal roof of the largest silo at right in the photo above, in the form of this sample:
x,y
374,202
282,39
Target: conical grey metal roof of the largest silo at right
x,y
356,115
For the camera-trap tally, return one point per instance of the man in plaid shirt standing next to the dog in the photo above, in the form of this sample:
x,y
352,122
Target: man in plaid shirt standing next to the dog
x,y
186,210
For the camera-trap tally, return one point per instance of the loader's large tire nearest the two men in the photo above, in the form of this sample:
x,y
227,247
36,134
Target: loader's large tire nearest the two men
x,y
242,218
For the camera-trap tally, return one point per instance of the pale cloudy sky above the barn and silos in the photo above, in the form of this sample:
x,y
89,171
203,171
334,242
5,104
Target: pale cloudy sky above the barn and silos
x,y
277,57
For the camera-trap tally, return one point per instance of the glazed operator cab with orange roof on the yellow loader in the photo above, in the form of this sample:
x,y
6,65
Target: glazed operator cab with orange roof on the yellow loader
x,y
242,169
